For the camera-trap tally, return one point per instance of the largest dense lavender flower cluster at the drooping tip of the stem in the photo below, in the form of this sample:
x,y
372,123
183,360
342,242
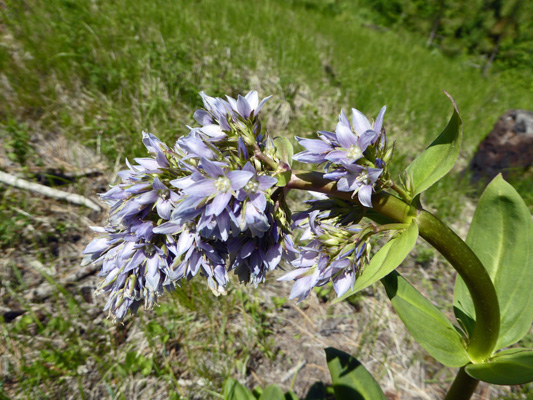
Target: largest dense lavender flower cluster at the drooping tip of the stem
x,y
208,205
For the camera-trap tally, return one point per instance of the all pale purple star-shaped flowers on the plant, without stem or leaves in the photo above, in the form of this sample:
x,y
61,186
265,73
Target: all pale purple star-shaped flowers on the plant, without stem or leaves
x,y
214,204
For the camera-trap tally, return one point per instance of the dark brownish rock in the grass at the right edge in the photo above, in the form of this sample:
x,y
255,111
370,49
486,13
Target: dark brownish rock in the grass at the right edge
x,y
507,149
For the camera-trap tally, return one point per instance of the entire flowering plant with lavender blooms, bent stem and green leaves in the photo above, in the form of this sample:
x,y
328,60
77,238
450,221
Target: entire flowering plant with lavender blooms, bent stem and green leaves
x,y
215,203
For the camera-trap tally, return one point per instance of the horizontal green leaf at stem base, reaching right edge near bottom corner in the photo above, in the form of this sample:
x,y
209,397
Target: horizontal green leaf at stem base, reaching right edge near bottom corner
x,y
509,367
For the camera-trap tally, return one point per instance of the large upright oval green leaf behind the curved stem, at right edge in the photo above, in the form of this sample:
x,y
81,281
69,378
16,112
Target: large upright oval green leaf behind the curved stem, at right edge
x,y
501,235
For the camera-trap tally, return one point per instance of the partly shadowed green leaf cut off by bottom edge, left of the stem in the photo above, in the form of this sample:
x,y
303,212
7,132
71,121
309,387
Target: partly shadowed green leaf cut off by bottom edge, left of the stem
x,y
350,378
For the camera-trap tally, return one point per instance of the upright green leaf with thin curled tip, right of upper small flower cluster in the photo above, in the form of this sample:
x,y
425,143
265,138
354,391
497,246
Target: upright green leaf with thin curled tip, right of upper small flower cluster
x,y
439,158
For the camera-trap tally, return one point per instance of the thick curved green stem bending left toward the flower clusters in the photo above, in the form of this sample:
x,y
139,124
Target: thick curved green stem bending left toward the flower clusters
x,y
443,239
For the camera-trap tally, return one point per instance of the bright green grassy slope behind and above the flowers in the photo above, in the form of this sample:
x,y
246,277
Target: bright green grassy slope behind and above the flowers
x,y
103,72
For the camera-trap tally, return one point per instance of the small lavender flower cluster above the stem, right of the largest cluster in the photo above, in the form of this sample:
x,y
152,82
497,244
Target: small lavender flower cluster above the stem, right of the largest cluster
x,y
355,155
